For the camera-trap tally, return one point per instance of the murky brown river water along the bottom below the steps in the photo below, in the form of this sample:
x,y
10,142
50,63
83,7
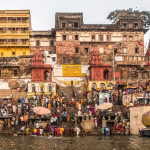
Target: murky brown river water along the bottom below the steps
x,y
74,143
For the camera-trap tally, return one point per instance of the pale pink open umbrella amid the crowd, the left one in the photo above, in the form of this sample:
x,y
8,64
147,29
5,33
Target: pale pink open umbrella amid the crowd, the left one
x,y
41,110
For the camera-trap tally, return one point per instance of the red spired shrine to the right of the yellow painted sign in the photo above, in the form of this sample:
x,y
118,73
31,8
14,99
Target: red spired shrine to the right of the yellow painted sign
x,y
98,71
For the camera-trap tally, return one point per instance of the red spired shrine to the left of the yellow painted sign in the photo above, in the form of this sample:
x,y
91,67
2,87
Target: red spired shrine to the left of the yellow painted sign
x,y
40,72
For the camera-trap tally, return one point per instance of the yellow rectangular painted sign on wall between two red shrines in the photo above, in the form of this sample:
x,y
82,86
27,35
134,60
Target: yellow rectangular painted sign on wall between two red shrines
x,y
71,70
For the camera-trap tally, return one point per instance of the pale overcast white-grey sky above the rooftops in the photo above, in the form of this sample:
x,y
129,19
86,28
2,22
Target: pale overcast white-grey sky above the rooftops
x,y
94,11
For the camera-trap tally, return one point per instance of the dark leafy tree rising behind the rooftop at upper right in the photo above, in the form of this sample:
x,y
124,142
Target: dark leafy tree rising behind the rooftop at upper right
x,y
145,14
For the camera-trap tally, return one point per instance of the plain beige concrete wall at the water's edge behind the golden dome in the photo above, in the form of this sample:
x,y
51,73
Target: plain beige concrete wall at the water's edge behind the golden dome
x,y
136,118
